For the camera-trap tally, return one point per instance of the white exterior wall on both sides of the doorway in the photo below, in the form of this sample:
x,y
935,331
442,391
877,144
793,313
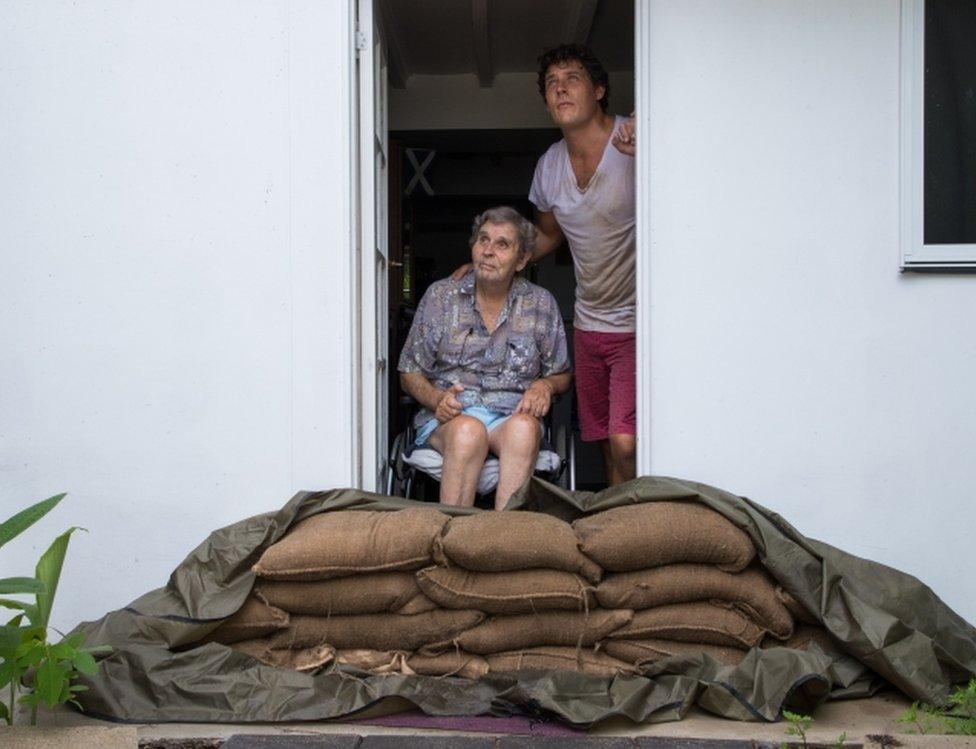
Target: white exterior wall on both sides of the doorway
x,y
176,280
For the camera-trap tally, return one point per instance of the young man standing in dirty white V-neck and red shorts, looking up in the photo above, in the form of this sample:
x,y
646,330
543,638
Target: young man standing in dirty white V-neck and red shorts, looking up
x,y
583,189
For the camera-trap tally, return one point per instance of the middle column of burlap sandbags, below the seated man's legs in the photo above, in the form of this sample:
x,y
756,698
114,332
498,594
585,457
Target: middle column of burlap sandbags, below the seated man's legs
x,y
526,573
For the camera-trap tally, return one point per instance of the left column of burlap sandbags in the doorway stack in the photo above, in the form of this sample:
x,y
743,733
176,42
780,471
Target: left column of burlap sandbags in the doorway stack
x,y
344,587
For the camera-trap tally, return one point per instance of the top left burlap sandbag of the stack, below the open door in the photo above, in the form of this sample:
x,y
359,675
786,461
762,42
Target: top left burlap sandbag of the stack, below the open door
x,y
349,542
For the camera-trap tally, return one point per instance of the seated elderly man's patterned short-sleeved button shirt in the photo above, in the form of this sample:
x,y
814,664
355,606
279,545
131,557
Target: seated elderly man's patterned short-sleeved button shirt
x,y
449,343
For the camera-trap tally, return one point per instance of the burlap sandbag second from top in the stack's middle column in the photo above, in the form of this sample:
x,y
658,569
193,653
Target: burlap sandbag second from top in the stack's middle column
x,y
519,592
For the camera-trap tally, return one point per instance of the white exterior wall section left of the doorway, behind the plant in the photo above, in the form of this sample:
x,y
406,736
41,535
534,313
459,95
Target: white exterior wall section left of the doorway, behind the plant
x,y
175,275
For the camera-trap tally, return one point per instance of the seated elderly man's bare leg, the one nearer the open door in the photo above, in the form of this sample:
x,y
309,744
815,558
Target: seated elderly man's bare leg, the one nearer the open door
x,y
463,441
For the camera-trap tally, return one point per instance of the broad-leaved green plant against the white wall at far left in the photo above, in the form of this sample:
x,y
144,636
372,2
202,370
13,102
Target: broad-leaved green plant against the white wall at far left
x,y
24,644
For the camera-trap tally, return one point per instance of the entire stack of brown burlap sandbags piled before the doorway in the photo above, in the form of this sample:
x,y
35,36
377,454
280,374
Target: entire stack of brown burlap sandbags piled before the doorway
x,y
414,591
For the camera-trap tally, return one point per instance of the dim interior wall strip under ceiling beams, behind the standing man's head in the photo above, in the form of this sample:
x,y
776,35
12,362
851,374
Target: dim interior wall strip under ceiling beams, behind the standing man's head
x,y
453,102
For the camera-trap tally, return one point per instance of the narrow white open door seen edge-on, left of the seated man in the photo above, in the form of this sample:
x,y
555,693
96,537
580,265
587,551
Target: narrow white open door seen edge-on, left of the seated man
x,y
373,255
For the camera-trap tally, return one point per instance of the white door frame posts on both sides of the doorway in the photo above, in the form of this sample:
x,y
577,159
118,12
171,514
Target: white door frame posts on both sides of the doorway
x,y
365,415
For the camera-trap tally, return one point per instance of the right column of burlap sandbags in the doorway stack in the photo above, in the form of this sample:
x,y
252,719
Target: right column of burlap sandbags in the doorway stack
x,y
685,571
